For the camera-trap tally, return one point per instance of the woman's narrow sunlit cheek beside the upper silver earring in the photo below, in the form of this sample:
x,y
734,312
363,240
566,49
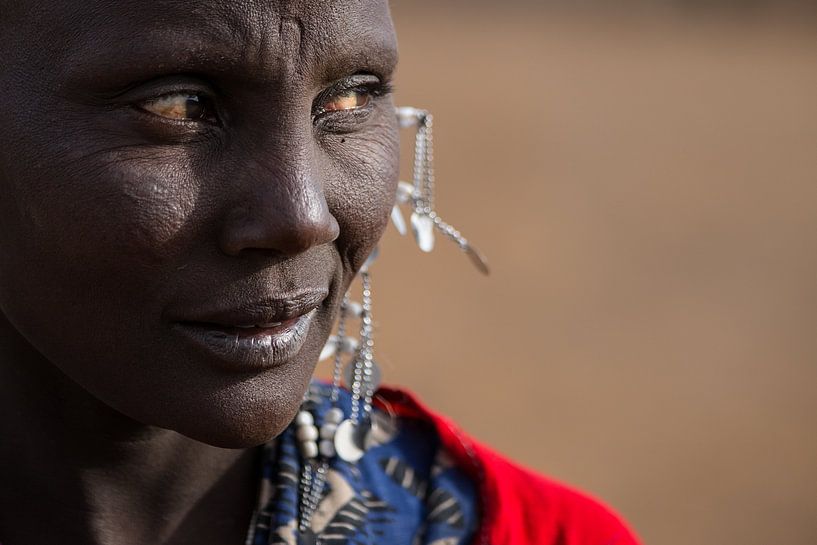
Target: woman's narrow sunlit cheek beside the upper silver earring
x,y
361,190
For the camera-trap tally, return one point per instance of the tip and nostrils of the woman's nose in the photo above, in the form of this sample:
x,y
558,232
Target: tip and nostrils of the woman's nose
x,y
282,210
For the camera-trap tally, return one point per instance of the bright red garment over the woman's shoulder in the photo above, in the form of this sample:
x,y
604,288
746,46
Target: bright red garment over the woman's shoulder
x,y
519,507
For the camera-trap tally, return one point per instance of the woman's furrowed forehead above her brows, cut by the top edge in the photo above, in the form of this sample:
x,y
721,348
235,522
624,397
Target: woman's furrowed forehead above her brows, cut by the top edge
x,y
290,34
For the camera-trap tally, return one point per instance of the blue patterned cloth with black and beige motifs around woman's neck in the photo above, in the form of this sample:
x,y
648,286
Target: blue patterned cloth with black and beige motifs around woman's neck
x,y
404,491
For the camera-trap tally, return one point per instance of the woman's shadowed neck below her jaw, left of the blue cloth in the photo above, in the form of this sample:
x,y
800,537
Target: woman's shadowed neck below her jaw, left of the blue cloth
x,y
72,466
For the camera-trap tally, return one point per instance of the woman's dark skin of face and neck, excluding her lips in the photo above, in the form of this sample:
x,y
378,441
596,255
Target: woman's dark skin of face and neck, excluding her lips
x,y
159,160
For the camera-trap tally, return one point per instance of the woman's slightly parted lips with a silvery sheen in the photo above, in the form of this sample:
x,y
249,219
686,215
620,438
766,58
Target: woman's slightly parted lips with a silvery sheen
x,y
256,336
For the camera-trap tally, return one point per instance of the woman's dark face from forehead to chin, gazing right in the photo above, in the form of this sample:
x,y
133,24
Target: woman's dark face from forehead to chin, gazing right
x,y
186,191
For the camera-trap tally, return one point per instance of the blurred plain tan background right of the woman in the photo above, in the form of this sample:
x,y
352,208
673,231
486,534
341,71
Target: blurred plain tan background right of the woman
x,y
644,181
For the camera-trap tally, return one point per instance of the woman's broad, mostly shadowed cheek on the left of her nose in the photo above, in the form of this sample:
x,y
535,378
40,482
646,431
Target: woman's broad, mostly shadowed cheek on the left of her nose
x,y
111,228
